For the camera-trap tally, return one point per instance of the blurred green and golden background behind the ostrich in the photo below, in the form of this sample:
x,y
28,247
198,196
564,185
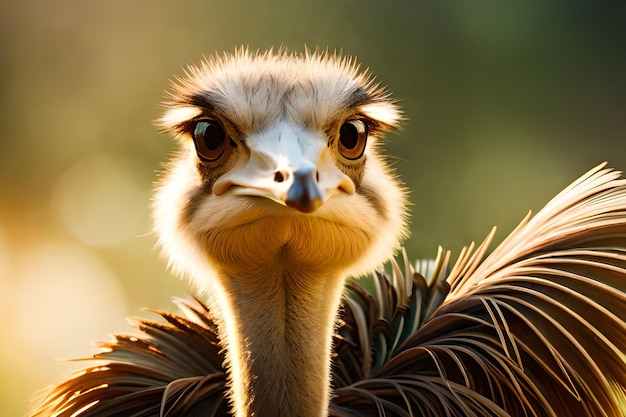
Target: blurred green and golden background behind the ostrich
x,y
507,102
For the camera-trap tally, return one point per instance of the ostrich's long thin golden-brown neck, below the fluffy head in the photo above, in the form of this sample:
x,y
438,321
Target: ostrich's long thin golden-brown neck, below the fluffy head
x,y
278,335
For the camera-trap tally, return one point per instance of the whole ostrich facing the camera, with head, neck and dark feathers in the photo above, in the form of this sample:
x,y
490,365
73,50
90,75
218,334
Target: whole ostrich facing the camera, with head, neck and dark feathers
x,y
278,194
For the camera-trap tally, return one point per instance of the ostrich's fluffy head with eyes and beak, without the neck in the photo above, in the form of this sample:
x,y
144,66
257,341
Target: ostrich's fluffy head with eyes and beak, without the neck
x,y
279,167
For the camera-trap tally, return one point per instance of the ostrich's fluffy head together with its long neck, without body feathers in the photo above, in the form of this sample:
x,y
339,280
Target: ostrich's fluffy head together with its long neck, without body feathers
x,y
277,194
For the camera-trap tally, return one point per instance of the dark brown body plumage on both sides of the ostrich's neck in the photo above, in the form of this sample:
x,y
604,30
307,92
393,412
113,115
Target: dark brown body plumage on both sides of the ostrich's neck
x,y
535,328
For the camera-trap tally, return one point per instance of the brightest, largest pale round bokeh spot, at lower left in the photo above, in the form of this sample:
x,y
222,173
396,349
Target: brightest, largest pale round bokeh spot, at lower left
x,y
64,300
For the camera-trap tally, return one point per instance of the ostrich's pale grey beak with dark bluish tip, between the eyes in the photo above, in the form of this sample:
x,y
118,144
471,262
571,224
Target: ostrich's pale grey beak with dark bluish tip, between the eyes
x,y
289,165
